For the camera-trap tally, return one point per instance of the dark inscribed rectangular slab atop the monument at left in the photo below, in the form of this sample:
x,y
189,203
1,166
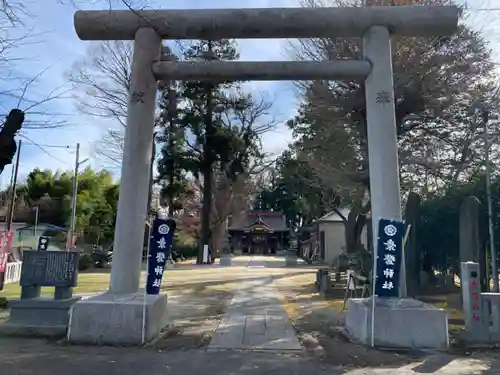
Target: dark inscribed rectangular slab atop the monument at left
x,y
49,268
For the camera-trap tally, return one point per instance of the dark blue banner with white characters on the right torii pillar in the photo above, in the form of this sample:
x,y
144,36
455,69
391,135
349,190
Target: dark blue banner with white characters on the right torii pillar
x,y
389,257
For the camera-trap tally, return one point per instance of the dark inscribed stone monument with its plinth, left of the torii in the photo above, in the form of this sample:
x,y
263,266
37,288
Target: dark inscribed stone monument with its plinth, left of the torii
x,y
42,316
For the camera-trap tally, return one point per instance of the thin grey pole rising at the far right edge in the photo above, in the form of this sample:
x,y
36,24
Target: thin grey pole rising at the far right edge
x,y
491,227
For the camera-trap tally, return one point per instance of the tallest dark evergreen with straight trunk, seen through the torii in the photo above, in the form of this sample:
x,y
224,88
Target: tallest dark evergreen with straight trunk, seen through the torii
x,y
215,127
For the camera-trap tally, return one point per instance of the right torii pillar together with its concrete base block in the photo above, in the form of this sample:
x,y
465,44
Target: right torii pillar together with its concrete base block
x,y
390,322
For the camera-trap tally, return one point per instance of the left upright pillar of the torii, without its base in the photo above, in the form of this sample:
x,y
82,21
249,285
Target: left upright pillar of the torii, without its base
x,y
134,185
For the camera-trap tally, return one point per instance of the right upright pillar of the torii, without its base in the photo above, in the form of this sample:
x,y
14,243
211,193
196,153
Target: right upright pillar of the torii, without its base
x,y
382,135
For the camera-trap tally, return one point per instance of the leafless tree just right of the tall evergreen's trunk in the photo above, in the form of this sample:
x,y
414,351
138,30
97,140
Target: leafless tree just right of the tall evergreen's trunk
x,y
233,189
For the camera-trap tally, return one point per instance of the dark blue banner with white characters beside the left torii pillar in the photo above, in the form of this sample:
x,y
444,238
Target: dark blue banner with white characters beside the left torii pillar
x,y
160,244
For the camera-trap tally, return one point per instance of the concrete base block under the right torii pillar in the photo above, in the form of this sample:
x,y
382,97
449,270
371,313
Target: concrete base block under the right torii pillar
x,y
399,323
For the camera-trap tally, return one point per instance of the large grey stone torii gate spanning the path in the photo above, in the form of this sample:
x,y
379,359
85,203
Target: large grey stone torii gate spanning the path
x,y
116,316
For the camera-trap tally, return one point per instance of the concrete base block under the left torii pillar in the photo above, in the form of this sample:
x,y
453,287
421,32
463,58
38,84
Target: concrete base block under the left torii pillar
x,y
117,319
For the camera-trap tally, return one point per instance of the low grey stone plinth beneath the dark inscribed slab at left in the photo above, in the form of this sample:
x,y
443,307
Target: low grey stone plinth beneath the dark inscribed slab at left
x,y
42,317
